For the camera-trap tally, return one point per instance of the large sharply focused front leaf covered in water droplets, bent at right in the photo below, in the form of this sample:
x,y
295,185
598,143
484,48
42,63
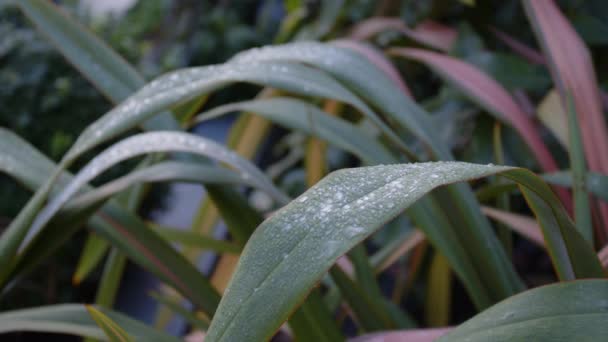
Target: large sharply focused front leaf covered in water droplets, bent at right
x,y
291,250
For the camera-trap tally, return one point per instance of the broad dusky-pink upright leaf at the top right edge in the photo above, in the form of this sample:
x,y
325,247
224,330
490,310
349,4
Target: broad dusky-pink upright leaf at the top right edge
x,y
572,70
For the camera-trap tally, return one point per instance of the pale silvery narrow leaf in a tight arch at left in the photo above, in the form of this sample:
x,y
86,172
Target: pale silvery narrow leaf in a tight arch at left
x,y
147,143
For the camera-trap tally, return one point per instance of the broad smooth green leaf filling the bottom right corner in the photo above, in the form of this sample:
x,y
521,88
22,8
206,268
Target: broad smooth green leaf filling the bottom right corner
x,y
561,312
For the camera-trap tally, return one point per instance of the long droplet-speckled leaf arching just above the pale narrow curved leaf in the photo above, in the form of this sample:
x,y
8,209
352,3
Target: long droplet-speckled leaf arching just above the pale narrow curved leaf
x,y
182,85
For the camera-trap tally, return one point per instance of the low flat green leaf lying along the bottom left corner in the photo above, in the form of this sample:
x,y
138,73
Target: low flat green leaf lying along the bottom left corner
x,y
74,319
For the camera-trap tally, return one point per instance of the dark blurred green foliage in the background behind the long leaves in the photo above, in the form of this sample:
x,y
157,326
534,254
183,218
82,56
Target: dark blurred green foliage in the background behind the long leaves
x,y
47,102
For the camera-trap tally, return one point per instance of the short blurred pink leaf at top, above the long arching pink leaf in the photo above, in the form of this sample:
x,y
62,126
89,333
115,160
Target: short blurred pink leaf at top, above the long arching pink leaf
x,y
430,33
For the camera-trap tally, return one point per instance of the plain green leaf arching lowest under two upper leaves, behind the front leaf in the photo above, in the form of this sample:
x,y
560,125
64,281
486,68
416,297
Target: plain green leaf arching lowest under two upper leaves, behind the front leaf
x,y
309,119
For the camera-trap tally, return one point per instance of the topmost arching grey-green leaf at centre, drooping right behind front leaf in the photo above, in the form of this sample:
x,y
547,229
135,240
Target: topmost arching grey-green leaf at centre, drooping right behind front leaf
x,y
488,259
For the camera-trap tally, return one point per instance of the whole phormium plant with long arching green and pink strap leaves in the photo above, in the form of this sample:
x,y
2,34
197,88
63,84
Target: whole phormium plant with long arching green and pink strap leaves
x,y
307,264
